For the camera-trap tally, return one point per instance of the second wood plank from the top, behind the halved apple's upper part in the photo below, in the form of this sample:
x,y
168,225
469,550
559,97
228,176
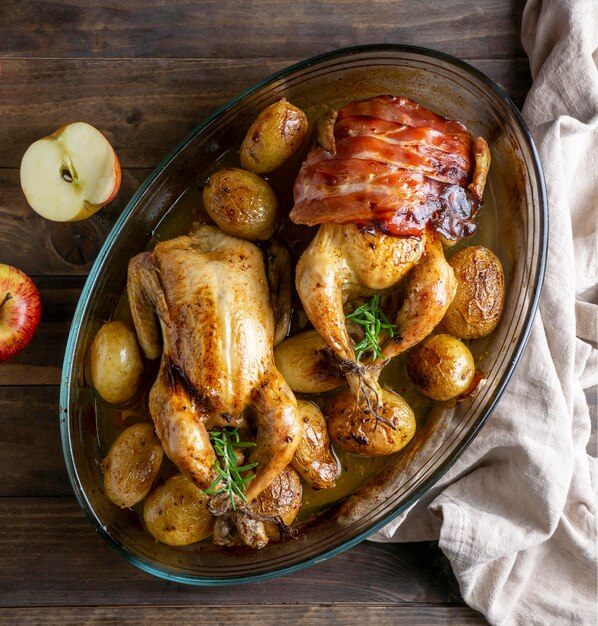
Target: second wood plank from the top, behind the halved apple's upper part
x,y
153,104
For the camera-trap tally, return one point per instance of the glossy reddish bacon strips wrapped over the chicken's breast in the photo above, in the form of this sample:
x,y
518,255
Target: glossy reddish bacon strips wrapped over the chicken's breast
x,y
397,167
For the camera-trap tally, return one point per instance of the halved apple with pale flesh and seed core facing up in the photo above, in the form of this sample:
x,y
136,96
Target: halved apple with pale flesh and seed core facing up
x,y
71,174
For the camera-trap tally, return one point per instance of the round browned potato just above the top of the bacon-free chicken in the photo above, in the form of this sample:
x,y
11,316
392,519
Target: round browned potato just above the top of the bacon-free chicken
x,y
241,203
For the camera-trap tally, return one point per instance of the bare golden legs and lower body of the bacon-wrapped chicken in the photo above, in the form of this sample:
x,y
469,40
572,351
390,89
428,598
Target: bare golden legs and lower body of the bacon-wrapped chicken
x,y
328,277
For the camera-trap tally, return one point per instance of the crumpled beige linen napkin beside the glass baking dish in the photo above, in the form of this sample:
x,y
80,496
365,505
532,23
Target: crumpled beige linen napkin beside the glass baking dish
x,y
516,515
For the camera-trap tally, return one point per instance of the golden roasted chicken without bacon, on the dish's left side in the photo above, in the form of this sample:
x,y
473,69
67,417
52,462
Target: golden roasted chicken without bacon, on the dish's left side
x,y
210,295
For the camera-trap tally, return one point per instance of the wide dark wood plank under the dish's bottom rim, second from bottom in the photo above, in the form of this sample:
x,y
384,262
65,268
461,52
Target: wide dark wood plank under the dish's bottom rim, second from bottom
x,y
52,556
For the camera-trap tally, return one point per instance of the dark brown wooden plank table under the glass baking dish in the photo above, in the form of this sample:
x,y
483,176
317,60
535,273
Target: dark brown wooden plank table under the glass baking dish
x,y
146,73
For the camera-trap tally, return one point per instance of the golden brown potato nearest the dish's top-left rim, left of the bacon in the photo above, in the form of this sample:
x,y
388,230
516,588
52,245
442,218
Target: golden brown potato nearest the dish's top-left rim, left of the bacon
x,y
274,136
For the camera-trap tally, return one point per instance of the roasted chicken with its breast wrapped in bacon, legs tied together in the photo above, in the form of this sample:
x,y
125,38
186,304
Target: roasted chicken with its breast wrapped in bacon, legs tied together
x,y
388,182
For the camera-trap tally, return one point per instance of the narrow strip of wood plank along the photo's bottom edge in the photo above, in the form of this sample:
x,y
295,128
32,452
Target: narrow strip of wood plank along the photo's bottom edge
x,y
305,613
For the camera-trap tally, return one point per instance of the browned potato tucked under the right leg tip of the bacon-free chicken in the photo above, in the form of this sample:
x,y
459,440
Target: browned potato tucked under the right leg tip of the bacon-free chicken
x,y
282,499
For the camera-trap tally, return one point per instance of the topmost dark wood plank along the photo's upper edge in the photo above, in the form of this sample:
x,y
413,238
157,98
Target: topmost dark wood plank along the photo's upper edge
x,y
213,28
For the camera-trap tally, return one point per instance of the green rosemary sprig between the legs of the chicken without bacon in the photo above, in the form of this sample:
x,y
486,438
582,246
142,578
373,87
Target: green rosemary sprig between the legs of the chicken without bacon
x,y
229,478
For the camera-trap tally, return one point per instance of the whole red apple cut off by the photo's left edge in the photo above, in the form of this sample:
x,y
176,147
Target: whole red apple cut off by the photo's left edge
x,y
20,309
